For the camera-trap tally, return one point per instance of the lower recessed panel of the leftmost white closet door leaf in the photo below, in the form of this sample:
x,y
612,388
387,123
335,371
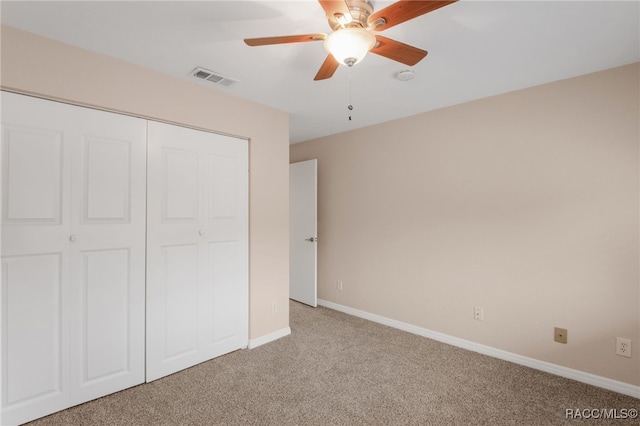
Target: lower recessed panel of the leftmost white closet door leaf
x,y
33,329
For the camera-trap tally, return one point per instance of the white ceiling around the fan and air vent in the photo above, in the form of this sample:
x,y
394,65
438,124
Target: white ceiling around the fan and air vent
x,y
476,49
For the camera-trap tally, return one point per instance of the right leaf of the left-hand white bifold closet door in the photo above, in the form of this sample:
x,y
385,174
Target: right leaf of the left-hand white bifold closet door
x,y
108,253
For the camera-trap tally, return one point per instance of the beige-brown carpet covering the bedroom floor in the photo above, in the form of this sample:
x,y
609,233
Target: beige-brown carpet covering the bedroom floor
x,y
335,369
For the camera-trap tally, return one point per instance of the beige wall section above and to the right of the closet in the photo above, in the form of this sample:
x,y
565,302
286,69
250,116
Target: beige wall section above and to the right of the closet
x,y
36,65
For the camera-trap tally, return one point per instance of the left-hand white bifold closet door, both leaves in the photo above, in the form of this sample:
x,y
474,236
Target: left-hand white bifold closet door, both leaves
x,y
73,255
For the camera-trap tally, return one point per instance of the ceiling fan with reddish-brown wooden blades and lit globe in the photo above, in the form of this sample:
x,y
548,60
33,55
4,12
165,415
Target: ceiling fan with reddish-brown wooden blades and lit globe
x,y
354,26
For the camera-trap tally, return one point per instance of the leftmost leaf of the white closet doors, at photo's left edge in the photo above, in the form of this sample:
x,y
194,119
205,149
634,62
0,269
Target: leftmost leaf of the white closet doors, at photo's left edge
x,y
35,258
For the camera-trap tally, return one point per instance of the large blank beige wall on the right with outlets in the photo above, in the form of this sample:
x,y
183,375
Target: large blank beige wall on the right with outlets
x,y
525,204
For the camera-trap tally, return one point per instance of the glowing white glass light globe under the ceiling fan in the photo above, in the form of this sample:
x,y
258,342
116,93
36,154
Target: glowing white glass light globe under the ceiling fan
x,y
349,45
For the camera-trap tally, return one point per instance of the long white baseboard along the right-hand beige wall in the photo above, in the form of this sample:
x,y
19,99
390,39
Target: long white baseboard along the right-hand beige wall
x,y
558,370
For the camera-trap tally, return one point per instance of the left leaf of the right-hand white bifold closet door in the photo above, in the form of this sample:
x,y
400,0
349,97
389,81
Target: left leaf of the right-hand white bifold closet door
x,y
173,252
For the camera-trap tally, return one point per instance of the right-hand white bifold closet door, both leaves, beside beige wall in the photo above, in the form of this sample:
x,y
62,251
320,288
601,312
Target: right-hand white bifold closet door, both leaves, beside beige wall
x,y
197,247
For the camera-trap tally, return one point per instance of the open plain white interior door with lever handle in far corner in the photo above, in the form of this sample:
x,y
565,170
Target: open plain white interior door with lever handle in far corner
x,y
303,183
